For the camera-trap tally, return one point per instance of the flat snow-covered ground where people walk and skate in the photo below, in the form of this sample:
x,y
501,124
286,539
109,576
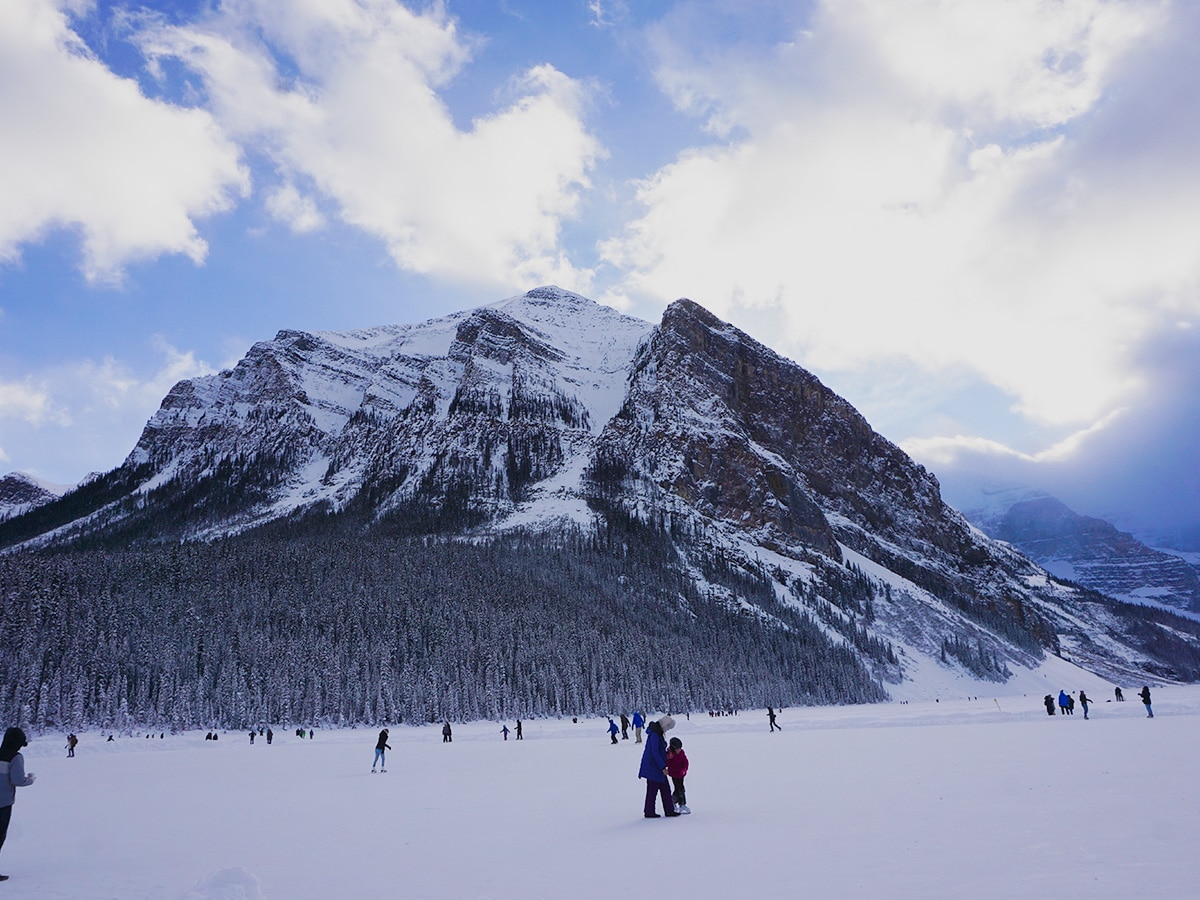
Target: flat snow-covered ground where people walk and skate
x,y
952,800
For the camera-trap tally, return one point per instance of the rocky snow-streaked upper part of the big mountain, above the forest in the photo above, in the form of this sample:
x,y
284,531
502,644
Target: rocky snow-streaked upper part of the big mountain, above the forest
x,y
549,412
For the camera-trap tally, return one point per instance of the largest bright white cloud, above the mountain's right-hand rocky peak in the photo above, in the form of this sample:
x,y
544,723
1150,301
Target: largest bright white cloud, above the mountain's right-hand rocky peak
x,y
929,184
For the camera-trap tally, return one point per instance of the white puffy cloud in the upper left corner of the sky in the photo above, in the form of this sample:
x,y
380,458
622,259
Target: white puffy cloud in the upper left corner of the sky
x,y
85,149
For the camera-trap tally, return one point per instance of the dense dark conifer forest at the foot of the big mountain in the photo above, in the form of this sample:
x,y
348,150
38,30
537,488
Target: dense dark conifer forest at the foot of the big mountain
x,y
319,628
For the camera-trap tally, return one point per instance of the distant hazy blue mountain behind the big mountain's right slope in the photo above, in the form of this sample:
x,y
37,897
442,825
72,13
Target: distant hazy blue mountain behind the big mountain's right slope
x,y
1088,550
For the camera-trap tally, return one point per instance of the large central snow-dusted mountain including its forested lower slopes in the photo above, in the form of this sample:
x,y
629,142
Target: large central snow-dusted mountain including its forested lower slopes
x,y
538,506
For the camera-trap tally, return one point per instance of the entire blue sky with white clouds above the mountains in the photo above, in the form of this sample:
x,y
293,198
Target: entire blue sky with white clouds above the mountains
x,y
979,221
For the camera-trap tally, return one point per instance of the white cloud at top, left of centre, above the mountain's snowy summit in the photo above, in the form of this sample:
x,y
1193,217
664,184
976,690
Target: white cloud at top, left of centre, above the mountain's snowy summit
x,y
359,117
